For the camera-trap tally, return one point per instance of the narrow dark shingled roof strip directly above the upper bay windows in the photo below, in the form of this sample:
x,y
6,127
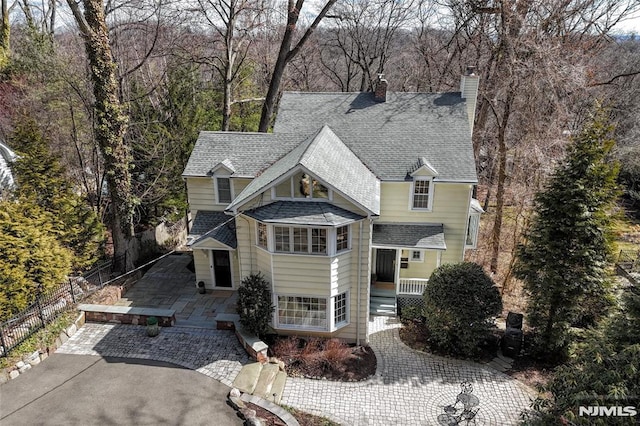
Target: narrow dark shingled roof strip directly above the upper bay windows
x,y
303,213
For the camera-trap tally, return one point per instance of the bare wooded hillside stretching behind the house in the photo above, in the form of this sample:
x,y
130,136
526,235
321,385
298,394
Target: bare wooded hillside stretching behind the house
x,y
121,96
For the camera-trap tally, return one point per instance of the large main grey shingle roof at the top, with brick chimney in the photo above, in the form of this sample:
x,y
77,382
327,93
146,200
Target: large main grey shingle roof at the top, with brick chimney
x,y
389,137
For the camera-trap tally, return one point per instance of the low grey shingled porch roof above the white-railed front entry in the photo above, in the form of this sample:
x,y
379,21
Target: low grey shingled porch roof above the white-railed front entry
x,y
409,235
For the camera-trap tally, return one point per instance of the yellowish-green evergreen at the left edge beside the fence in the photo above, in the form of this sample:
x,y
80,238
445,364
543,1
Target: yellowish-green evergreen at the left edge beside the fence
x,y
31,258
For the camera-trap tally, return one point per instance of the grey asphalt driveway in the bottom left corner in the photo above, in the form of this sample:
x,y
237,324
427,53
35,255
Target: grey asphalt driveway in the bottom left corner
x,y
80,390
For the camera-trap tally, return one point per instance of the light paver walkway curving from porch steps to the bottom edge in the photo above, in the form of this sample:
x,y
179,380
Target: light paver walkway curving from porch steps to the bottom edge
x,y
409,388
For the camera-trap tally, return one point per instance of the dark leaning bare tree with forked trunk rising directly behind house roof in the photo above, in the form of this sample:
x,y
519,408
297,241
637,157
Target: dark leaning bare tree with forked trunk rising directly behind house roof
x,y
287,53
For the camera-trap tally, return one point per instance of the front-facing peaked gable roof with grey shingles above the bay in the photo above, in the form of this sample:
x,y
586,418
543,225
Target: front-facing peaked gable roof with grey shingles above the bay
x,y
327,158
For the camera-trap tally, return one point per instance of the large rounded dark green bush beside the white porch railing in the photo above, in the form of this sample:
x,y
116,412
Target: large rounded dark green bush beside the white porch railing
x,y
459,303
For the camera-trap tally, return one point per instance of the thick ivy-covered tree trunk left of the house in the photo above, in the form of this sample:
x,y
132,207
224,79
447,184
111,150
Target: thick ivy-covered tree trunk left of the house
x,y
111,125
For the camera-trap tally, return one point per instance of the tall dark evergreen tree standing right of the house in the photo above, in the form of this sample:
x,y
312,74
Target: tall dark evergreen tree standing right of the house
x,y
569,243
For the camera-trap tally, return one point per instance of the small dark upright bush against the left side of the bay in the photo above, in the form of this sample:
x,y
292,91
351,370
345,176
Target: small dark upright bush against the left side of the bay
x,y
254,304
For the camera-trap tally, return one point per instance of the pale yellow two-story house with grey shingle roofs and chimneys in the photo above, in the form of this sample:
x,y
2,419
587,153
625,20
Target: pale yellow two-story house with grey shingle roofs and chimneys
x,y
351,202
